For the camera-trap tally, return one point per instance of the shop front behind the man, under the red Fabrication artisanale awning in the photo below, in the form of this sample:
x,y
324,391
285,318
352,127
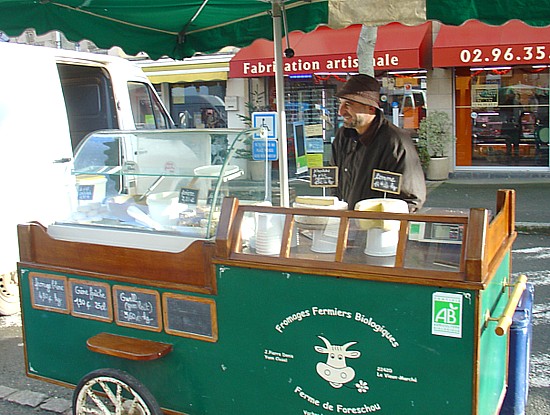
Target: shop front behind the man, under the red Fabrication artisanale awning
x,y
322,61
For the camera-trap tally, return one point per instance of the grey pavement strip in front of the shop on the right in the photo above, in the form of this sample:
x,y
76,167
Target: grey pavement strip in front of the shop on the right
x,y
532,197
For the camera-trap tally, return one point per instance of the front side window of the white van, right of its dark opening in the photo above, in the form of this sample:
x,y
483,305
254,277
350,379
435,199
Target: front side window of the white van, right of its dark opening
x,y
146,108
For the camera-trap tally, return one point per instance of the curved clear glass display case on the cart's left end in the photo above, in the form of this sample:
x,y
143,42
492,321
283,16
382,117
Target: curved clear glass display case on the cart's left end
x,y
161,184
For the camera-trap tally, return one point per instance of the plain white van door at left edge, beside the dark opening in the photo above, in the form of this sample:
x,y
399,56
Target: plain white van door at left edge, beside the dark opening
x,y
35,159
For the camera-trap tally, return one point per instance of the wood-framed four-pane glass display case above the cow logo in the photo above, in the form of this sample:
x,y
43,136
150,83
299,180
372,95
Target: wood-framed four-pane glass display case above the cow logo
x,y
354,238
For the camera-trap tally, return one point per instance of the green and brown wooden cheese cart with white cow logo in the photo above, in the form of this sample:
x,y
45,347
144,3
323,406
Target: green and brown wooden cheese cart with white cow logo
x,y
270,310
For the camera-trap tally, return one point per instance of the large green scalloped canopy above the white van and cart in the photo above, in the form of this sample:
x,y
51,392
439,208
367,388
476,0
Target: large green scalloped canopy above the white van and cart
x,y
177,28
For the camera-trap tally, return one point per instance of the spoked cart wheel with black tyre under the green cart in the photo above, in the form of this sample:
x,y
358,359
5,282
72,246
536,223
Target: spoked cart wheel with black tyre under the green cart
x,y
112,391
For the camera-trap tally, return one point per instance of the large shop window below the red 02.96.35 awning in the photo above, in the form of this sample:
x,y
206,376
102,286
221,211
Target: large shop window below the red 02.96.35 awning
x,y
508,116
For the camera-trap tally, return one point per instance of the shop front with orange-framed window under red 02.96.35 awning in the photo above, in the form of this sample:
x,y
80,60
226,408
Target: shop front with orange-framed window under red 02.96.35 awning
x,y
501,78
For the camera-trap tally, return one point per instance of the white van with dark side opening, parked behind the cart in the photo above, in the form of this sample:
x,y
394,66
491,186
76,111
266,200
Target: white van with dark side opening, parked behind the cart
x,y
50,99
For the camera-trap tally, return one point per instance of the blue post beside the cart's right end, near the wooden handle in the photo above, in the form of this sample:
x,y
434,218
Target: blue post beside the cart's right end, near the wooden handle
x,y
518,358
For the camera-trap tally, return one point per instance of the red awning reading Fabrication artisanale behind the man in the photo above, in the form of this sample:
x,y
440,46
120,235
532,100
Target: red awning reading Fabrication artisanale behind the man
x,y
327,50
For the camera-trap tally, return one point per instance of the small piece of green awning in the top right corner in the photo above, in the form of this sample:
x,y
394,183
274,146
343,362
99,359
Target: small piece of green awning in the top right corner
x,y
456,12
